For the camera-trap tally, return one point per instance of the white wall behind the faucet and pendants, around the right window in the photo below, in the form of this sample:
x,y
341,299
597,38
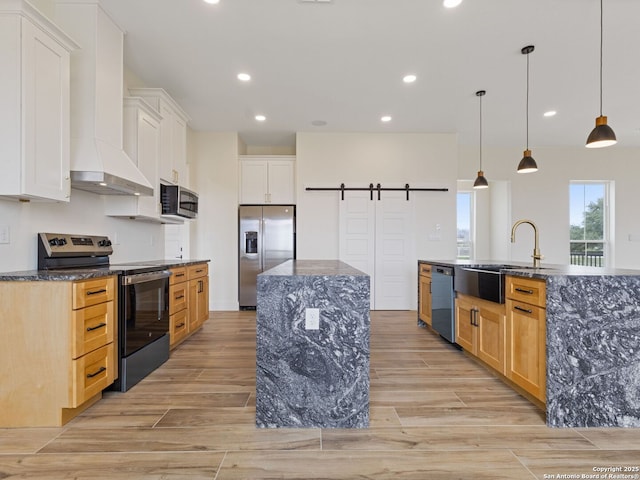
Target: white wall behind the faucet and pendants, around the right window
x,y
544,196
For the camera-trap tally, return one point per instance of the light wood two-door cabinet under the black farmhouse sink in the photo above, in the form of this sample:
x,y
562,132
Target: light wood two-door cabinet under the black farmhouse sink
x,y
480,330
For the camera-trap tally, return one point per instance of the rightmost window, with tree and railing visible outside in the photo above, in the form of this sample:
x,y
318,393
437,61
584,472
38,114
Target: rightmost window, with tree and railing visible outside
x,y
589,218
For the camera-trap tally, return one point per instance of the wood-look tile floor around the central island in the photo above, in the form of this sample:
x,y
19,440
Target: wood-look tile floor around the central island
x,y
435,414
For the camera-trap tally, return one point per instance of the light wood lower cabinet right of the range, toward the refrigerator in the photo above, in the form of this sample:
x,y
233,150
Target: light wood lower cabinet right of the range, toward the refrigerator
x,y
188,301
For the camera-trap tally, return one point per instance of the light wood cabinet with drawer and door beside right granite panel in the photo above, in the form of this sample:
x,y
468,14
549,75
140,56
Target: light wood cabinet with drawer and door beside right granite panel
x,y
526,334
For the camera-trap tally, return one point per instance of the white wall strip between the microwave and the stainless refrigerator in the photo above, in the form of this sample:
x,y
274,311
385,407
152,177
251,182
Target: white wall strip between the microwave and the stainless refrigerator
x,y
213,164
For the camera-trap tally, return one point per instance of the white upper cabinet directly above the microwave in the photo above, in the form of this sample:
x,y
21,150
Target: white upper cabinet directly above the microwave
x,y
172,165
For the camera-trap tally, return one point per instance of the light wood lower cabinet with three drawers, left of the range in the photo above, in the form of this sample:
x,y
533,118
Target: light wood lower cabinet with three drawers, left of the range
x,y
57,349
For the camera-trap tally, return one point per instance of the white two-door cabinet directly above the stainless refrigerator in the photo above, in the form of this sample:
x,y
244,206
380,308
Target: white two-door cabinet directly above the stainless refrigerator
x,y
267,179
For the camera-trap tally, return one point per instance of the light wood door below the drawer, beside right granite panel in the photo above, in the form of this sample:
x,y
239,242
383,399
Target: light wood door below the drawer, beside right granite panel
x,y
526,355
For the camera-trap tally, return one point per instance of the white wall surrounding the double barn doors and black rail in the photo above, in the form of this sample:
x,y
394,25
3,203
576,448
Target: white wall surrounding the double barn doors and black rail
x,y
358,159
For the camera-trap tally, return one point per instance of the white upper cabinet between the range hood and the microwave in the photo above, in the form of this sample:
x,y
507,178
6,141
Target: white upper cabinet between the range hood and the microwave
x,y
141,142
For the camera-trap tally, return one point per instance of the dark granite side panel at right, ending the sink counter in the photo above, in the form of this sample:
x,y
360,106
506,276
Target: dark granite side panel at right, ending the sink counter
x,y
593,351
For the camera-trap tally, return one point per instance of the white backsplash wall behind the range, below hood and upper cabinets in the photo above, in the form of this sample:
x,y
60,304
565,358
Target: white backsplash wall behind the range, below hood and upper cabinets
x,y
84,214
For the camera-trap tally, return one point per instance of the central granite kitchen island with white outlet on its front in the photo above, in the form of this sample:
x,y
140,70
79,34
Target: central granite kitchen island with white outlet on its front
x,y
312,341
